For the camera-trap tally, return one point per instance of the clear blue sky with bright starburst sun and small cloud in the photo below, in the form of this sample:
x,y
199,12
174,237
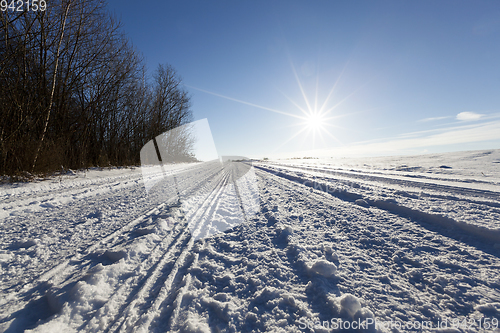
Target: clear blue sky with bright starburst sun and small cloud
x,y
397,77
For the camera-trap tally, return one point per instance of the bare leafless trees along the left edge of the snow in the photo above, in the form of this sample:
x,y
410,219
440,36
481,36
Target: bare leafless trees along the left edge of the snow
x,y
74,92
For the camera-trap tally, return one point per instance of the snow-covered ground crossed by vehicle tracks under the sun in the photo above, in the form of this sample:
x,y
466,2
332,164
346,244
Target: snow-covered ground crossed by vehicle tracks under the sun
x,y
410,243
